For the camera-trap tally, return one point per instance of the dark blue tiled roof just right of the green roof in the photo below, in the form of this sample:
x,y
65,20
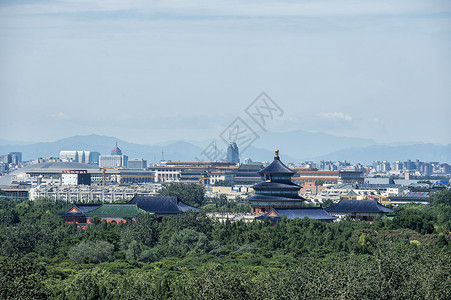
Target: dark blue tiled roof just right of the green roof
x,y
161,204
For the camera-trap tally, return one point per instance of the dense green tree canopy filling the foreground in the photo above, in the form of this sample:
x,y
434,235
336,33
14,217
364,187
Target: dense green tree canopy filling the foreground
x,y
193,257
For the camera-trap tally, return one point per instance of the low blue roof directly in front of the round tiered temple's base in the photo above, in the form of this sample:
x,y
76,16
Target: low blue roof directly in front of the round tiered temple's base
x,y
316,213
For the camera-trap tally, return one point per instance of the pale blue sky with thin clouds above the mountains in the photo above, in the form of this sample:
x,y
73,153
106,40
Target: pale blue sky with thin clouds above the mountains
x,y
153,71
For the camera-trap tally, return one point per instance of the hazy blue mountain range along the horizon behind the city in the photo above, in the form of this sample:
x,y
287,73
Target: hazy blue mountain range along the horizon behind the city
x,y
295,146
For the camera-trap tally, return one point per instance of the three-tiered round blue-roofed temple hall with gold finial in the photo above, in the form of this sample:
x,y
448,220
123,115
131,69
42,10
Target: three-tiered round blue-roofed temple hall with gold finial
x,y
276,190
